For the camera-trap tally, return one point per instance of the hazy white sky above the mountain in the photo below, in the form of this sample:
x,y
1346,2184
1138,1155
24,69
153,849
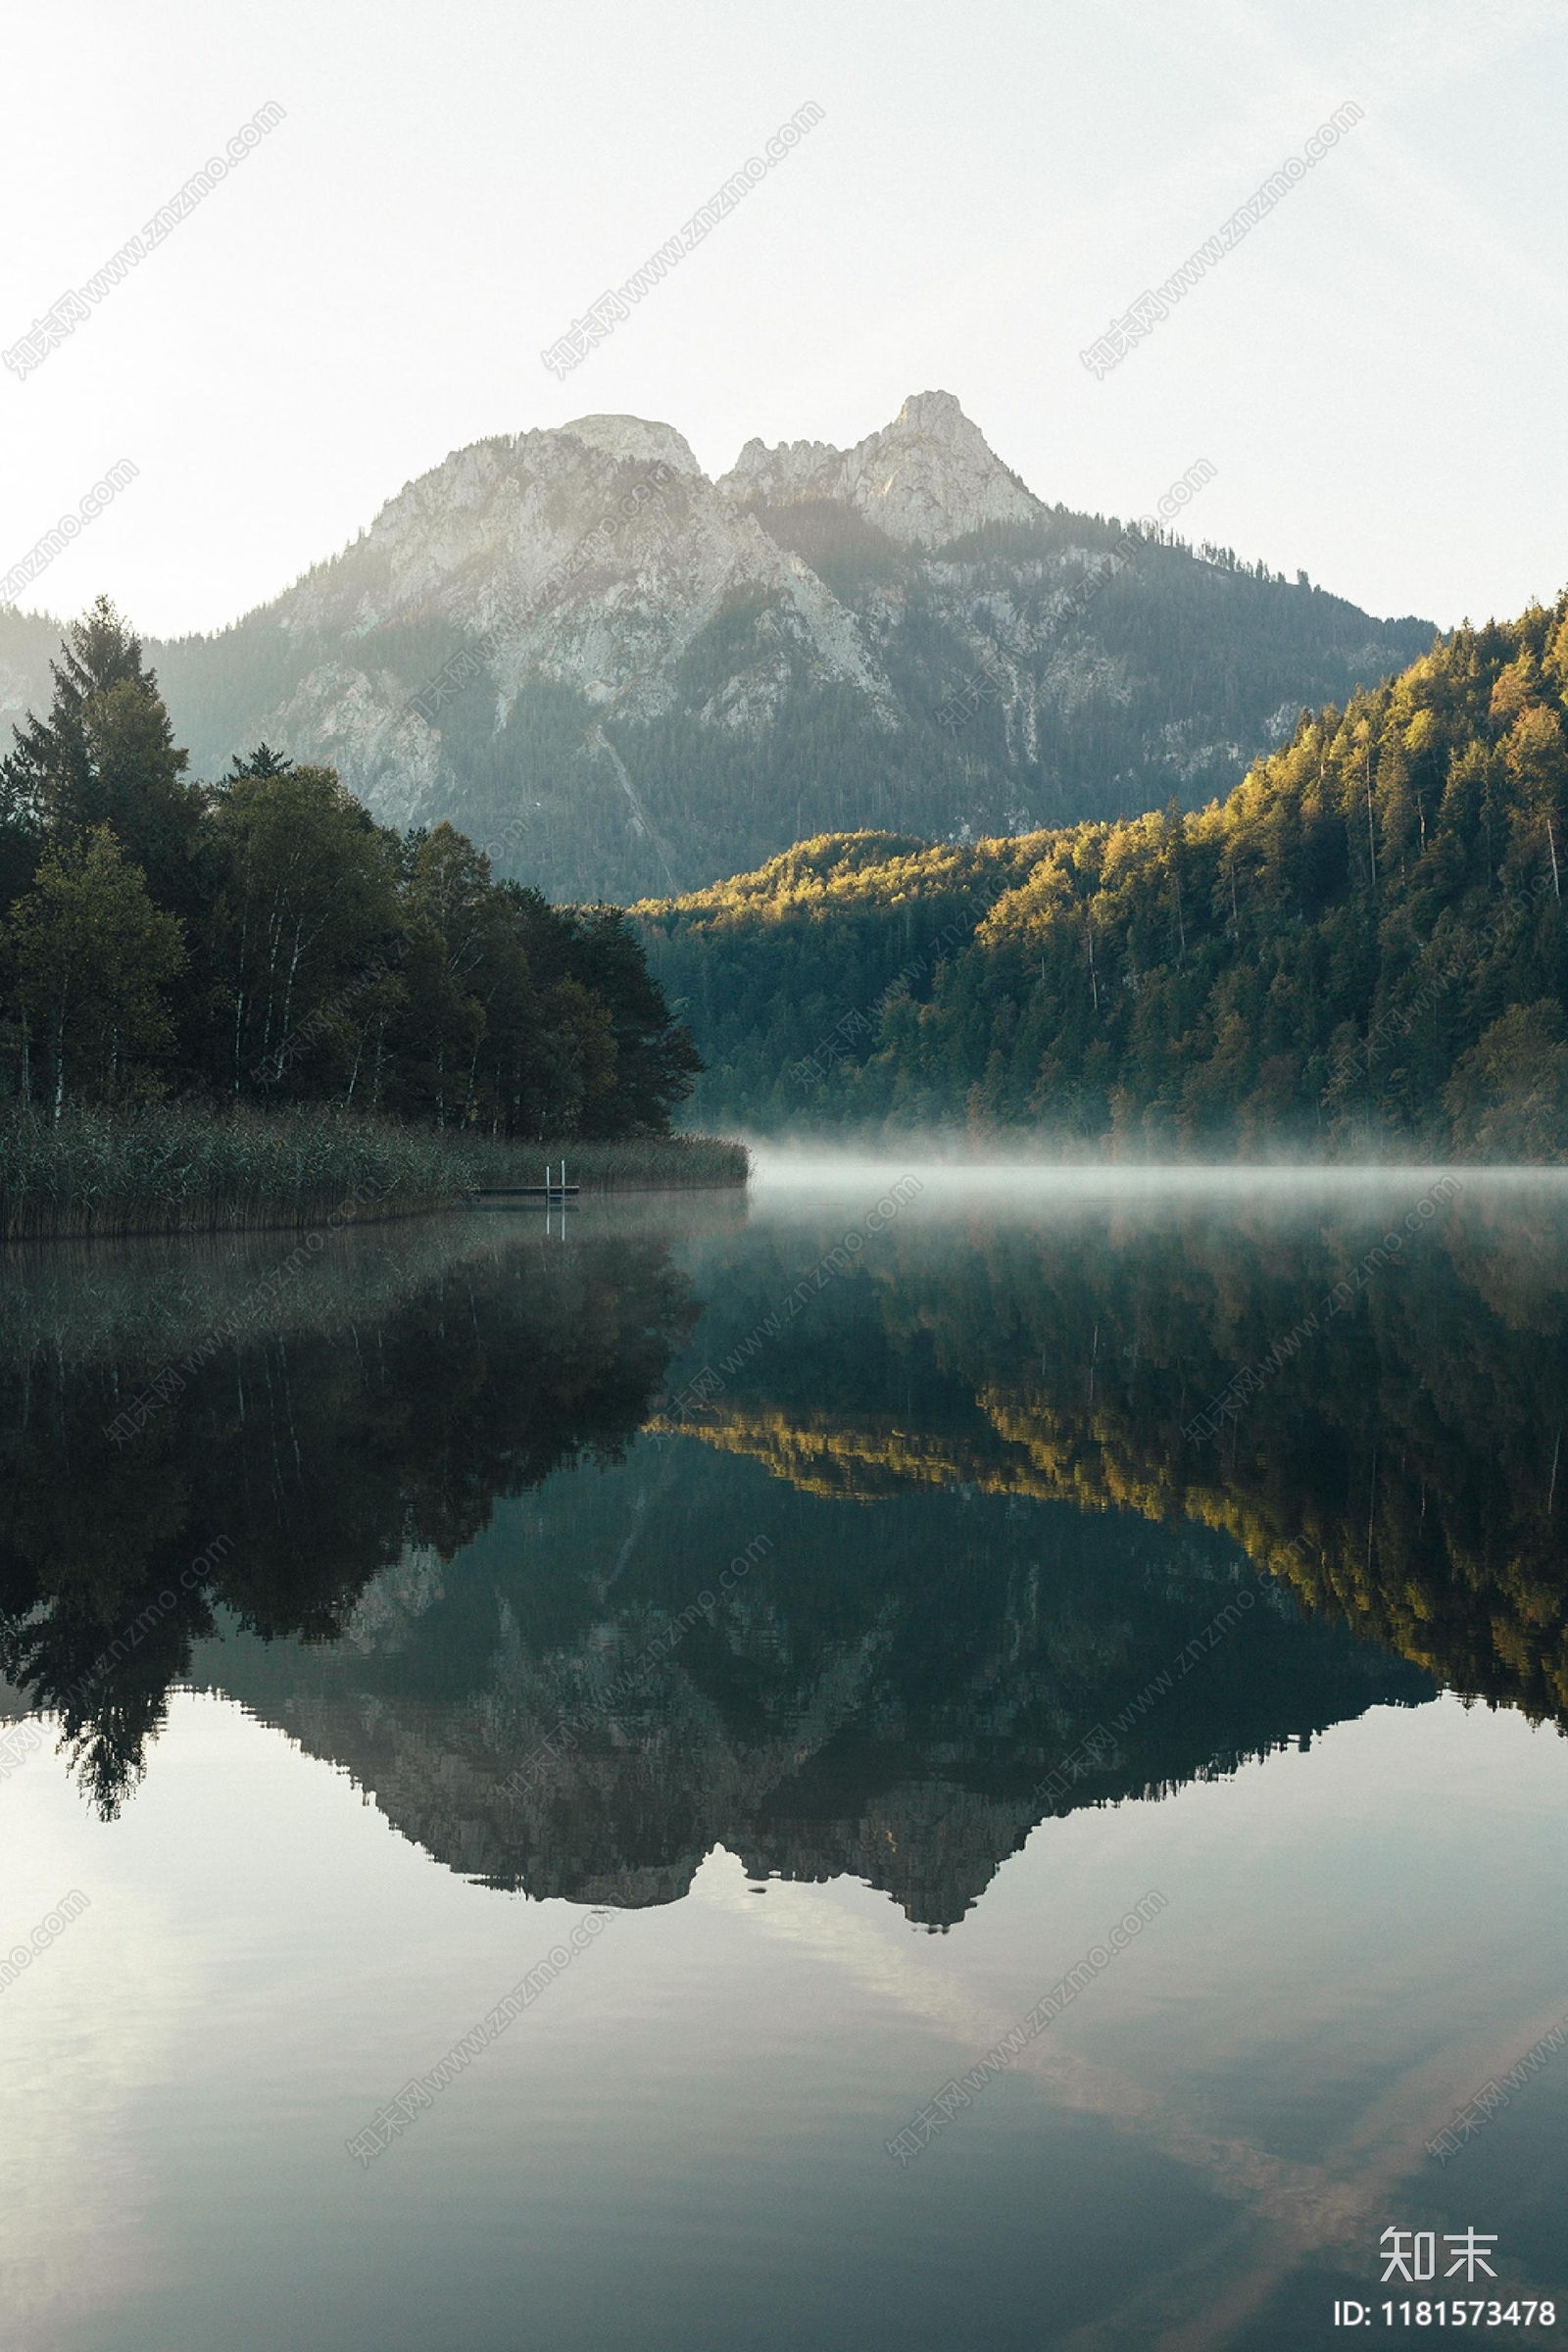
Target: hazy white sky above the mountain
x,y
1376,373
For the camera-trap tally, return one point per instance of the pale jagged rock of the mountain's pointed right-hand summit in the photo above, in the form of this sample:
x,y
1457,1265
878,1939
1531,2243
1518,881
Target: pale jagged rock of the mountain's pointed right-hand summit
x,y
925,481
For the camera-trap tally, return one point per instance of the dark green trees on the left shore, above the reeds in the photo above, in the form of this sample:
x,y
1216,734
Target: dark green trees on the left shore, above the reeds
x,y
264,940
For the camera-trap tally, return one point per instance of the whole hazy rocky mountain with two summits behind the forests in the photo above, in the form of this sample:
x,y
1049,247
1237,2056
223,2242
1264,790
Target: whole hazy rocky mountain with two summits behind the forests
x,y
629,679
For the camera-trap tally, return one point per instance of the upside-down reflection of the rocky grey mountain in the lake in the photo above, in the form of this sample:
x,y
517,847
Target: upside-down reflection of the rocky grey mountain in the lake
x,y
883,1695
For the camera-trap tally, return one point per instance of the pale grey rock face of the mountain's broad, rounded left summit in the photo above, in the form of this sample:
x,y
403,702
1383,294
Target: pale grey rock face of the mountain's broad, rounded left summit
x,y
490,544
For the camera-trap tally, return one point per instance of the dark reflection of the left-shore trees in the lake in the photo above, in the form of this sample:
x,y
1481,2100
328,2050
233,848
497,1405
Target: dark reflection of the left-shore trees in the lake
x,y
382,1398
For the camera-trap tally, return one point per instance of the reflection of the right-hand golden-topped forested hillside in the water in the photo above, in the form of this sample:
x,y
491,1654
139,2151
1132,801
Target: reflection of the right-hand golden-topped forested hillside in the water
x,y
1400,1469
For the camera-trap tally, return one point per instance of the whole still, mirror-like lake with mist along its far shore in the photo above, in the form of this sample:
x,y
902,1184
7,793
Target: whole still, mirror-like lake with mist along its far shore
x,y
934,1758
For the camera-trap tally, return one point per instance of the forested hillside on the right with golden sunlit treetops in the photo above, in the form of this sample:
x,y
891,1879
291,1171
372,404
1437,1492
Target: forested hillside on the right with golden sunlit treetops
x,y
1360,947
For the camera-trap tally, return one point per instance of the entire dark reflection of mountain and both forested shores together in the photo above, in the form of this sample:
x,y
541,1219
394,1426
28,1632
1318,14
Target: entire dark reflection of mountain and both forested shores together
x,y
977,1528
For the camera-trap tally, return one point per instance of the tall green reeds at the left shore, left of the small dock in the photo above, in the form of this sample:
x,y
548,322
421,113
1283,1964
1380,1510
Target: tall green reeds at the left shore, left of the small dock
x,y
187,1170
